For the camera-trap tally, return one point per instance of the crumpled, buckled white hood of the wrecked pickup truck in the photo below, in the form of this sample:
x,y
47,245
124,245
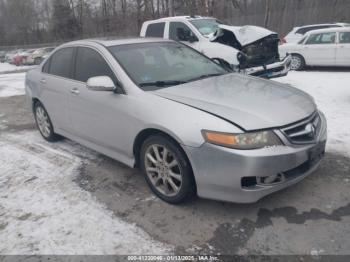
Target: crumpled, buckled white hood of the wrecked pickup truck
x,y
245,35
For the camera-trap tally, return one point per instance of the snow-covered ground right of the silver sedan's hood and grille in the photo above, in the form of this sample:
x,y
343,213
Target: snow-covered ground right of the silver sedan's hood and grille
x,y
331,91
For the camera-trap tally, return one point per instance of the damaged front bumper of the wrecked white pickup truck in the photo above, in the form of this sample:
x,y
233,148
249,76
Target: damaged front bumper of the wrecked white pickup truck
x,y
277,69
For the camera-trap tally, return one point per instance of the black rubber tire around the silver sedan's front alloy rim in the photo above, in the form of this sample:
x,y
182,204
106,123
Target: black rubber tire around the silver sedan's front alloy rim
x,y
187,189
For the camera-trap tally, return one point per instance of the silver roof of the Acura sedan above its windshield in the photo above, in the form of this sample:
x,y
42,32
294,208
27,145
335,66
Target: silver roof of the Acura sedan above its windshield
x,y
112,42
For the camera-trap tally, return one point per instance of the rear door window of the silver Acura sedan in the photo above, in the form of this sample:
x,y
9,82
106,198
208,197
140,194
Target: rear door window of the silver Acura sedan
x,y
61,62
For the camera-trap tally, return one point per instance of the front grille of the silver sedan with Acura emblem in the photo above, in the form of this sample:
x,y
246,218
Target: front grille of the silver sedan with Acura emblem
x,y
304,132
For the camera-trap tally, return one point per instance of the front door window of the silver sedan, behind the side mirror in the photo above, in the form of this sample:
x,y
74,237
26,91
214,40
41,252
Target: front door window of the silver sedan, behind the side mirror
x,y
89,63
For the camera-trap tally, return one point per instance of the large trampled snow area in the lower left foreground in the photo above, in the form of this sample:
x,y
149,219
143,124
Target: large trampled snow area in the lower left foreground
x,y
43,211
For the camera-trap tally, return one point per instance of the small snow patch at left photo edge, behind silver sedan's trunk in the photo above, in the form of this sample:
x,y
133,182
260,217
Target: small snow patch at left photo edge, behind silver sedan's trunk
x,y
12,84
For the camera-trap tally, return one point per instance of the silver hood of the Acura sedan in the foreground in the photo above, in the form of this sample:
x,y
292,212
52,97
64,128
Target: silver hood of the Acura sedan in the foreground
x,y
248,102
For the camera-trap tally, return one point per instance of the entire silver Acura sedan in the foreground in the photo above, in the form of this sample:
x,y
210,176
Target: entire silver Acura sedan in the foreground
x,y
189,125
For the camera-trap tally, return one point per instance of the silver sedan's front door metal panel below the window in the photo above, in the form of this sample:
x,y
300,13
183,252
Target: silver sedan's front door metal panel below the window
x,y
100,117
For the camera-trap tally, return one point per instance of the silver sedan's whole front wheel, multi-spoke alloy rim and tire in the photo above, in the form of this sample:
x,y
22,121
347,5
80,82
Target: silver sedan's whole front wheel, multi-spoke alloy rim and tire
x,y
167,170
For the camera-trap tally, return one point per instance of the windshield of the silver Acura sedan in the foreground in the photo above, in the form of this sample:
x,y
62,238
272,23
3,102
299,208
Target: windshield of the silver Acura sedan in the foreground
x,y
158,65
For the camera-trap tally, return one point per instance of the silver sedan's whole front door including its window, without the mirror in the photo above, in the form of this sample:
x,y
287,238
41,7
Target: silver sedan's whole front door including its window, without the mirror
x,y
99,117
